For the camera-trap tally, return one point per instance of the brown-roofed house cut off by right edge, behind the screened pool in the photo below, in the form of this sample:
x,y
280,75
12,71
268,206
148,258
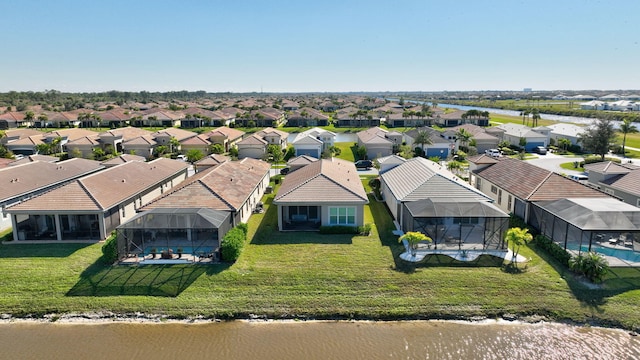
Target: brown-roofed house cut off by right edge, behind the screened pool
x,y
621,181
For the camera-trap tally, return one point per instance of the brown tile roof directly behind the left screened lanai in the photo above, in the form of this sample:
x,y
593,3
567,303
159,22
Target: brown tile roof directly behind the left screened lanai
x,y
223,187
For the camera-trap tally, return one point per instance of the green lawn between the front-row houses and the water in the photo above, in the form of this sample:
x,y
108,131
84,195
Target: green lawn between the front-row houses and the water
x,y
293,274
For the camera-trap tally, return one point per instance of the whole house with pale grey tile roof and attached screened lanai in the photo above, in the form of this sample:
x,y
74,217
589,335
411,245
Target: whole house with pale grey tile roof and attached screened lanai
x,y
423,196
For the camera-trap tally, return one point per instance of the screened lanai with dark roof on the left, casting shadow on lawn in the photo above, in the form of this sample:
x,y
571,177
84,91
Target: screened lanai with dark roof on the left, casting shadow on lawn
x,y
173,234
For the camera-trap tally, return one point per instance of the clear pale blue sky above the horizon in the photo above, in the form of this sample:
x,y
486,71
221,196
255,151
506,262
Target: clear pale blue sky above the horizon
x,y
319,46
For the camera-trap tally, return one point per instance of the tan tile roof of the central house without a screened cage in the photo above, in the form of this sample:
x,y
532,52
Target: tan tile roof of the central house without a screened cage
x,y
325,181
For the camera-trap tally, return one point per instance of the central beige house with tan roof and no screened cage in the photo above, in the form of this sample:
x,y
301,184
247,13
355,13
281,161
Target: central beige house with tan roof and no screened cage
x,y
341,203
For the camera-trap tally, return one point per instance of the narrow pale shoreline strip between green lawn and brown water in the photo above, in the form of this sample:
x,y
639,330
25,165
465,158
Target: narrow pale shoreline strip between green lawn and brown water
x,y
103,318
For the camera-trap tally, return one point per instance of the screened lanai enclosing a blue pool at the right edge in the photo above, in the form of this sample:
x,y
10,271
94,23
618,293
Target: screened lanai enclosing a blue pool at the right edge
x,y
603,225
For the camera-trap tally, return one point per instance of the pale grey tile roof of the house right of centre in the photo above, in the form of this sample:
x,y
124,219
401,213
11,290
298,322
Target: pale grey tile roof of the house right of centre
x,y
419,178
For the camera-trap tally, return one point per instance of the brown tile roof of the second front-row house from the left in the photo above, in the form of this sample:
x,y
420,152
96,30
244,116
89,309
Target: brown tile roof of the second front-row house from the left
x,y
106,189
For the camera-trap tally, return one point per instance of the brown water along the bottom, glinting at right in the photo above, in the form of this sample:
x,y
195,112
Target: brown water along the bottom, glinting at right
x,y
314,340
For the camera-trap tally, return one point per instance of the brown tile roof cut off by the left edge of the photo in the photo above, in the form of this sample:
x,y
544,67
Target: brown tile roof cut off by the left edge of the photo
x,y
23,179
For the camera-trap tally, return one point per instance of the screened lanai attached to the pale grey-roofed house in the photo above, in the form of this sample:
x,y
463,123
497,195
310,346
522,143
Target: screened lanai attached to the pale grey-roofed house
x,y
466,224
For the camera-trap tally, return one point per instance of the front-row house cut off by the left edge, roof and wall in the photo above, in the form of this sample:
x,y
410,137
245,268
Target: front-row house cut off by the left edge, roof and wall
x,y
26,180
